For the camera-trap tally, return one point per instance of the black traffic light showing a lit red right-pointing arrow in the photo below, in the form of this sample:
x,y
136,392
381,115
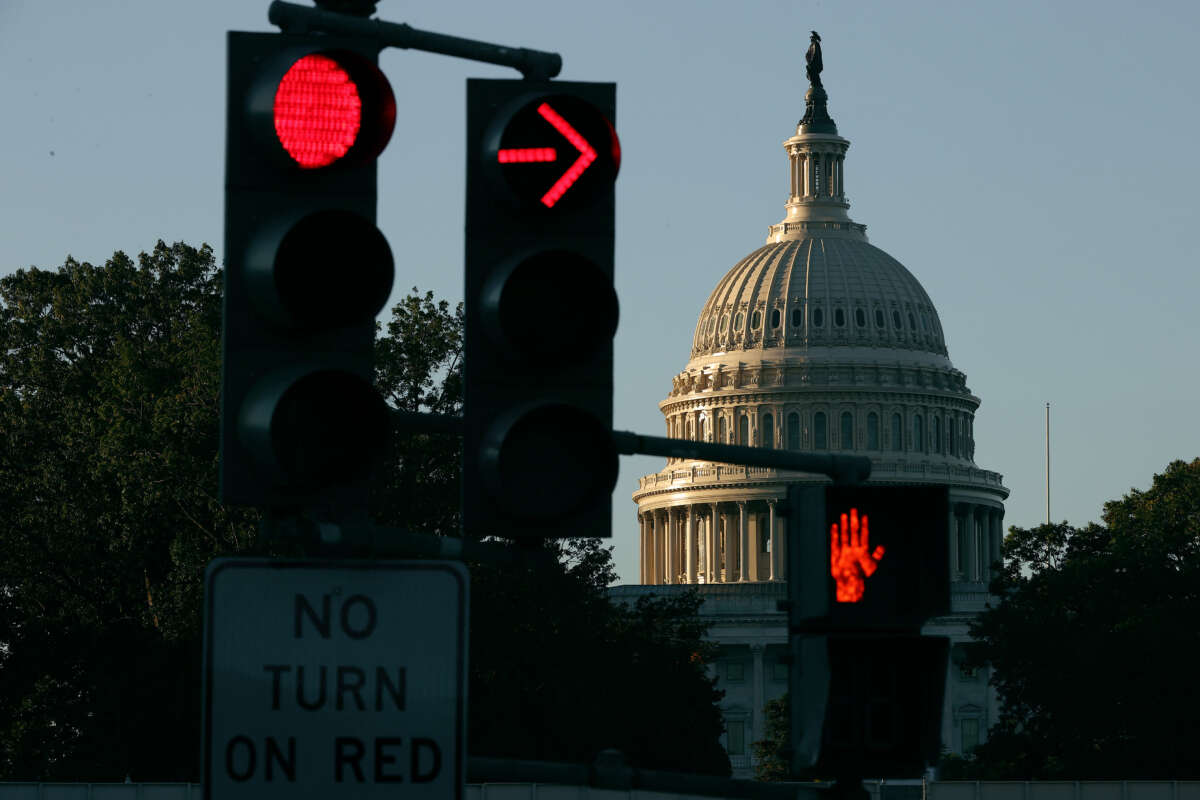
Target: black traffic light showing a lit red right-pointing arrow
x,y
539,459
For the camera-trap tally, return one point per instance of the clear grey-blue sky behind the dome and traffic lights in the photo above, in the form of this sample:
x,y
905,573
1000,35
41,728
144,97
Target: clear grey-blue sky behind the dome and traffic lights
x,y
1033,164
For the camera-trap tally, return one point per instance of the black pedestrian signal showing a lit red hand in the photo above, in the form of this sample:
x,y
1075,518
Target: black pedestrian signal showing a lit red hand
x,y
868,567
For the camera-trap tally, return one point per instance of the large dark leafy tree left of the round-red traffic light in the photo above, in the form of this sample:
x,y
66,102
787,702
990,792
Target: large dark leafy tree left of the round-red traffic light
x,y
109,512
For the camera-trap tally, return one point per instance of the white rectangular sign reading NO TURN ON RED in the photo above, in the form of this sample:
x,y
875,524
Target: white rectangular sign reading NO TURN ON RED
x,y
335,679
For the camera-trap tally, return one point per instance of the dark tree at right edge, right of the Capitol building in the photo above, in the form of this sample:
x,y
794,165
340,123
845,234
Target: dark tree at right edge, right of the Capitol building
x,y
1095,643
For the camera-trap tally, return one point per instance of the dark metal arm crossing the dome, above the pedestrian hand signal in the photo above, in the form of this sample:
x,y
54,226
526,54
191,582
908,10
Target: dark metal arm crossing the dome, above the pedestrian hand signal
x,y
843,470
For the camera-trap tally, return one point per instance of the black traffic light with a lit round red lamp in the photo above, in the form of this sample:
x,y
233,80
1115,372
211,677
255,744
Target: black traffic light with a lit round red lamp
x,y
307,272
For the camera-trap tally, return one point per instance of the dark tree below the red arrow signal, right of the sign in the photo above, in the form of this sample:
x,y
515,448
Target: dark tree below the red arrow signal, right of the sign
x,y
559,673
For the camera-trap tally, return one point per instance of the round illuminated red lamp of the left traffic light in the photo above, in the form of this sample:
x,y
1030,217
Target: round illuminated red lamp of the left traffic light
x,y
319,112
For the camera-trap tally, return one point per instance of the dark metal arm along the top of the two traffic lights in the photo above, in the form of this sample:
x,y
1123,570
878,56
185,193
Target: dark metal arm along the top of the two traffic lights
x,y
535,65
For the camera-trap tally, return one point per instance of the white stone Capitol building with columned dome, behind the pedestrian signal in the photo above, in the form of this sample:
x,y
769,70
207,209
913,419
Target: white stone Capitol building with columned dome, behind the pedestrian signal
x,y
815,342
